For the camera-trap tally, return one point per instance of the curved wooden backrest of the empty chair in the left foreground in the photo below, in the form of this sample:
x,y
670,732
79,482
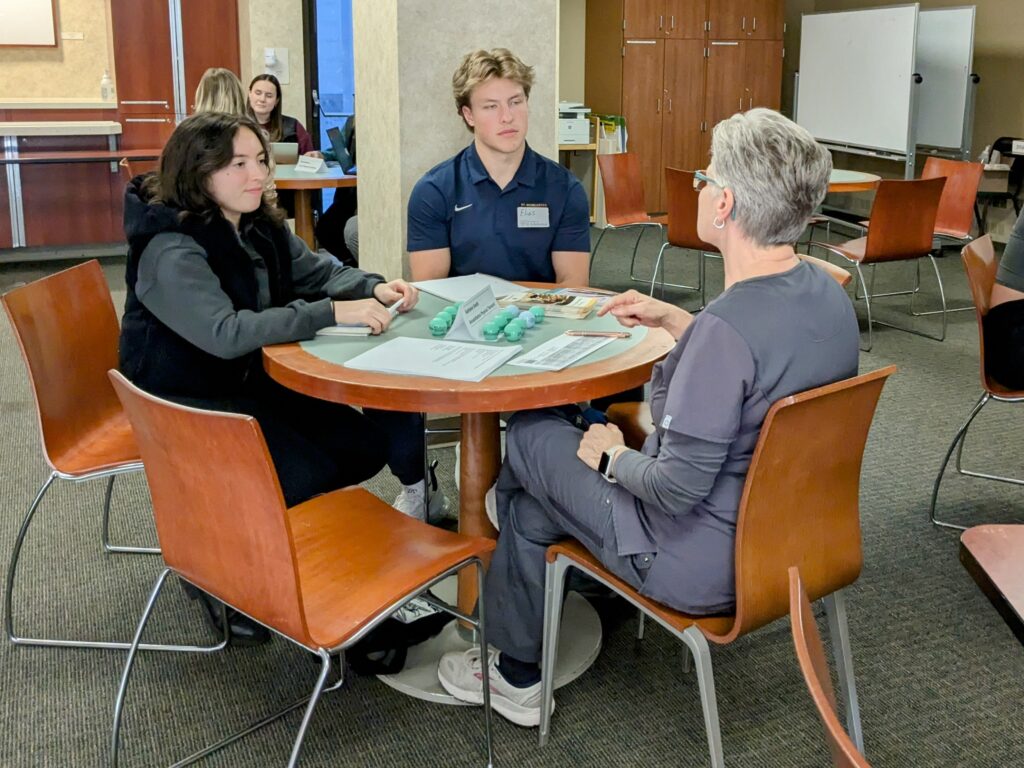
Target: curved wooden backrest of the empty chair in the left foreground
x,y
221,516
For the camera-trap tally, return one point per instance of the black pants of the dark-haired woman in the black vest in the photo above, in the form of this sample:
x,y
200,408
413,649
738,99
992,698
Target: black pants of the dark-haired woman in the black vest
x,y
317,447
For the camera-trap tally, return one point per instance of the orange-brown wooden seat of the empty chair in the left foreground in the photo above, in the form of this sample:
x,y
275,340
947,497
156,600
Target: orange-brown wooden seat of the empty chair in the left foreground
x,y
344,580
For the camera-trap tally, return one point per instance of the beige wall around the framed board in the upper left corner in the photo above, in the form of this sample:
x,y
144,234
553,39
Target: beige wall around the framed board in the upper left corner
x,y
73,70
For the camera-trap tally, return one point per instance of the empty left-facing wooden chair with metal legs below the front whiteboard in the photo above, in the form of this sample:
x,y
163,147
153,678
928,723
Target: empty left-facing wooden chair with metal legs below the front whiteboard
x,y
903,228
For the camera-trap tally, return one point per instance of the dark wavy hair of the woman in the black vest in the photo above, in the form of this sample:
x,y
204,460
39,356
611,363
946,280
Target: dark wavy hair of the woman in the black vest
x,y
201,146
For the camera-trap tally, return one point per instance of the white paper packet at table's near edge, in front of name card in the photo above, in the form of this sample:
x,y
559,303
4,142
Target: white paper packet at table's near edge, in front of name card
x,y
439,358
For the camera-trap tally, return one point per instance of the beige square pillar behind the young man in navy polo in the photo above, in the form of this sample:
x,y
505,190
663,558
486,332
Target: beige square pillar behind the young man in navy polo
x,y
405,56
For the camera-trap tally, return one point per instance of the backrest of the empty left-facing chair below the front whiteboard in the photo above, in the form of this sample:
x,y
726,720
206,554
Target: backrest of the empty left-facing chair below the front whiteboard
x,y
904,220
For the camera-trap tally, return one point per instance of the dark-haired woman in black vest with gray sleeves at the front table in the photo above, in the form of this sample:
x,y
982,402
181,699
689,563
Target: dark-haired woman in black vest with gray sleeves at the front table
x,y
214,276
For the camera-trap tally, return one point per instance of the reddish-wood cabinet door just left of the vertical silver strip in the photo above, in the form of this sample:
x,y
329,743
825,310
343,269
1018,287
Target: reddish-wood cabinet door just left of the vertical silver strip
x,y
143,57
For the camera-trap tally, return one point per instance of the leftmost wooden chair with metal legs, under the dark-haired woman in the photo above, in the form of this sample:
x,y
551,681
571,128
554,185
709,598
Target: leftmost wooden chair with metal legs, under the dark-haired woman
x,y
68,333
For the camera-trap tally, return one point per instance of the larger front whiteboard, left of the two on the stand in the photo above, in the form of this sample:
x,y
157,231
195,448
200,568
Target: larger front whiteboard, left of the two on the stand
x,y
857,70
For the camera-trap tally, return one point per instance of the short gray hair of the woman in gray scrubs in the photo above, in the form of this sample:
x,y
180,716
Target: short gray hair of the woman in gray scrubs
x,y
779,175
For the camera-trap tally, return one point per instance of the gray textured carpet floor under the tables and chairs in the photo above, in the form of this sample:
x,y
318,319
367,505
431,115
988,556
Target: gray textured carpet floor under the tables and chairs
x,y
940,675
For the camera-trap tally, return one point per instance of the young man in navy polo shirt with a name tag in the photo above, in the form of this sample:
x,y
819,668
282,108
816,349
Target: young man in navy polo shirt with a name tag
x,y
497,208
